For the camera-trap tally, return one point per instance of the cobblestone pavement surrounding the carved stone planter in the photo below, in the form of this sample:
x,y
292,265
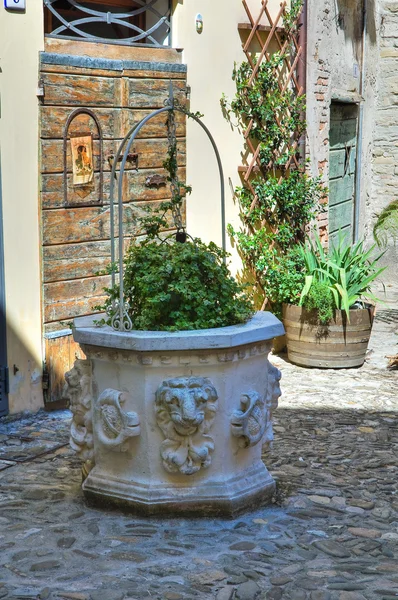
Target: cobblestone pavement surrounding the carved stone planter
x,y
331,534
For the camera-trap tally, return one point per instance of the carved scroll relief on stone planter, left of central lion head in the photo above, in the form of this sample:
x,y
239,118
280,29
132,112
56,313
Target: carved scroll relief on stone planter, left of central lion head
x,y
113,426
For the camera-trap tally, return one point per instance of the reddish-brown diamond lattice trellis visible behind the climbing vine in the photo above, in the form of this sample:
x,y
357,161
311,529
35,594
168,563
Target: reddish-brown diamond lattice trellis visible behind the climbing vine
x,y
288,44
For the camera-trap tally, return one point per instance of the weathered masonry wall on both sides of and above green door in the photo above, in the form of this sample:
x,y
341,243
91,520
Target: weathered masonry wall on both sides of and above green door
x,y
338,56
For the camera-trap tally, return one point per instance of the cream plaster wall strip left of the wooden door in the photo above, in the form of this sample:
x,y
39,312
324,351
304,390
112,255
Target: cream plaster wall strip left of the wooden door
x,y
21,39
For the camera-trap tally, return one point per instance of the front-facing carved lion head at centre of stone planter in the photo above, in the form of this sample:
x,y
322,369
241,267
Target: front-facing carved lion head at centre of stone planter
x,y
185,410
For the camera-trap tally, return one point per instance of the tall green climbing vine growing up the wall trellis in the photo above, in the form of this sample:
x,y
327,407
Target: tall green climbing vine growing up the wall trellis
x,y
279,199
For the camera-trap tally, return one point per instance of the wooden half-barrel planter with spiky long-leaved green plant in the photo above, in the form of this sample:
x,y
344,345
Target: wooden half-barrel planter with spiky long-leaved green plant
x,y
330,324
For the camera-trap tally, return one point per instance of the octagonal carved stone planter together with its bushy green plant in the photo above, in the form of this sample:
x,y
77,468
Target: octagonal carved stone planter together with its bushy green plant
x,y
175,398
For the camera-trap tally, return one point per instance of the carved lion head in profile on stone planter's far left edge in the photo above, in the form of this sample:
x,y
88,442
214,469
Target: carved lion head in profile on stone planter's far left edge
x,y
78,390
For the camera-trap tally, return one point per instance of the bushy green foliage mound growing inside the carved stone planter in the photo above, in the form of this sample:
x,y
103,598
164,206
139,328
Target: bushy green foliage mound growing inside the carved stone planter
x,y
179,286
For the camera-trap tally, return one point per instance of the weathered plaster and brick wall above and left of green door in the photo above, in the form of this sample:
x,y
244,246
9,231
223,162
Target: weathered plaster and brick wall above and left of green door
x,y
334,64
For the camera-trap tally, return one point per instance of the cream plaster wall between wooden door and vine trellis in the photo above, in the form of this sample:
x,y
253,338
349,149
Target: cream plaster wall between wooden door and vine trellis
x,y
210,58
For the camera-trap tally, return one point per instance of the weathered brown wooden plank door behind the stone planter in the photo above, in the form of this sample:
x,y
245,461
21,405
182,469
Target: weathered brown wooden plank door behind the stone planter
x,y
120,88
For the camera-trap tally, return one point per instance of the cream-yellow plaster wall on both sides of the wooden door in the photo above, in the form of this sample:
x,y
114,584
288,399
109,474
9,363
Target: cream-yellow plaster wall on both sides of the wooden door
x,y
210,58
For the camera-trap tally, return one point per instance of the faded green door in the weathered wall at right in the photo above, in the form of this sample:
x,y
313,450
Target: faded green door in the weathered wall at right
x,y
342,163
